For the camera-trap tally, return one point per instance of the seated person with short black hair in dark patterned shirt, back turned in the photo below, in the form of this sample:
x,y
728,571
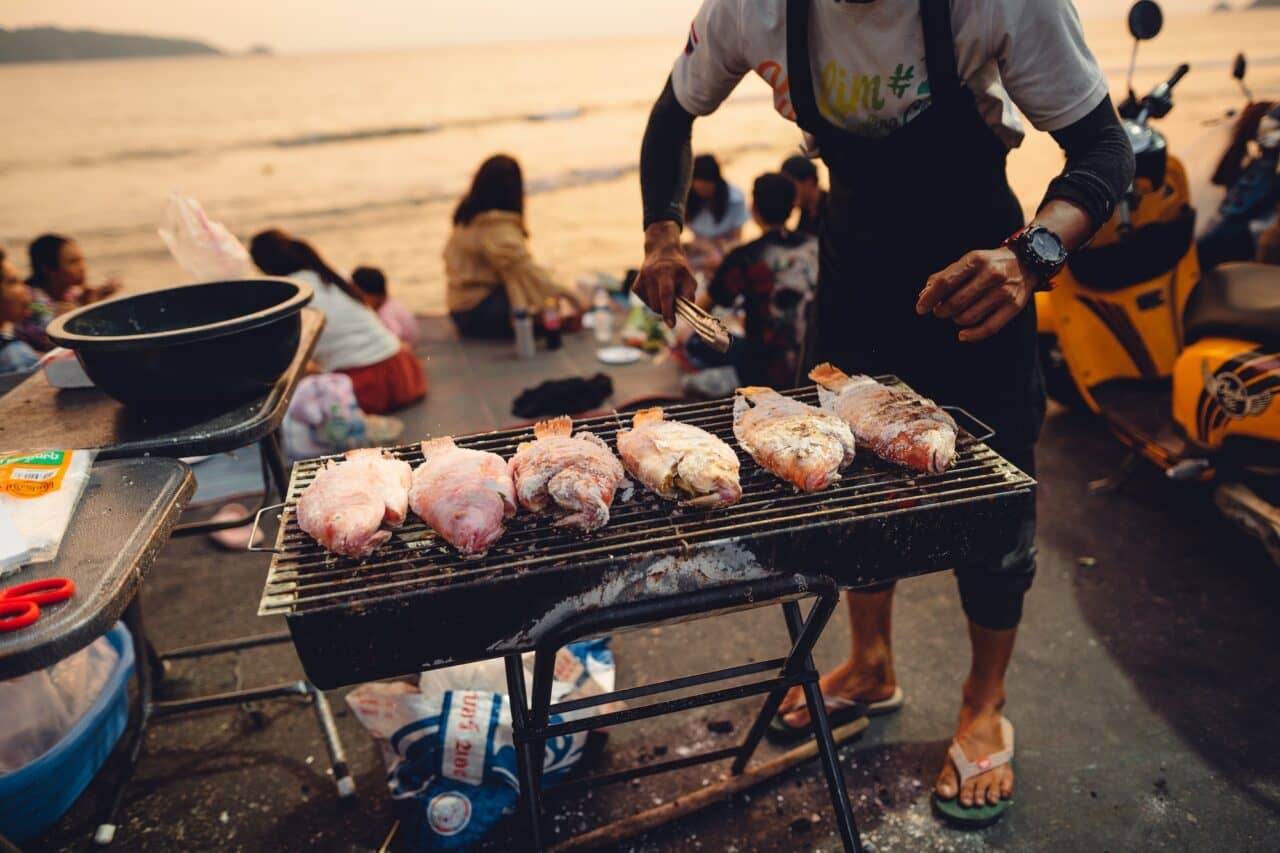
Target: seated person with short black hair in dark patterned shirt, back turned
x,y
774,280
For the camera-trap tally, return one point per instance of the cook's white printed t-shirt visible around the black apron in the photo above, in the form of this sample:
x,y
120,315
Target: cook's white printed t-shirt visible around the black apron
x,y
868,63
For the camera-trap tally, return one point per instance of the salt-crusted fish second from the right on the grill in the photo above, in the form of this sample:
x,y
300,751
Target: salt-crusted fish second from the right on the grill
x,y
804,446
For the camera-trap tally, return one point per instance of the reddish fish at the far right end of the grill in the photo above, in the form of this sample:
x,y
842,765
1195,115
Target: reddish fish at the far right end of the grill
x,y
897,425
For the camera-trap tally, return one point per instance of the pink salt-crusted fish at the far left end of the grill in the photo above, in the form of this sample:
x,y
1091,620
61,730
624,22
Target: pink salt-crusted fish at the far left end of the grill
x,y
348,505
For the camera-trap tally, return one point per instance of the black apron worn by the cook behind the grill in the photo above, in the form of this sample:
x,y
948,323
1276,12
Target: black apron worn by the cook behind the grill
x,y
903,208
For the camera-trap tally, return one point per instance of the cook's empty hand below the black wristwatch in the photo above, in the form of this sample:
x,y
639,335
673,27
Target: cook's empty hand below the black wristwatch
x,y
984,291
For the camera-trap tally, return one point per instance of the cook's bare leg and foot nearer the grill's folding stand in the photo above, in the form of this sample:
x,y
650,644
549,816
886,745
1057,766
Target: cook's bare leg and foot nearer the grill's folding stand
x,y
868,674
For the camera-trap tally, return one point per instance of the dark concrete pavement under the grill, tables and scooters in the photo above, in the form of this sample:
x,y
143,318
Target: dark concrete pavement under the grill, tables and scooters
x,y
1145,690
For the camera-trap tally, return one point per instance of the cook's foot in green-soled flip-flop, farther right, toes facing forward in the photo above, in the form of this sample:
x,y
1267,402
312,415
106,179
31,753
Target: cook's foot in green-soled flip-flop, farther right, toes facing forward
x,y
977,781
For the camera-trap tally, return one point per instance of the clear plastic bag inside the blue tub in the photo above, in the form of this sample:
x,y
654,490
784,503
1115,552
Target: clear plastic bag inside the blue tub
x,y
40,709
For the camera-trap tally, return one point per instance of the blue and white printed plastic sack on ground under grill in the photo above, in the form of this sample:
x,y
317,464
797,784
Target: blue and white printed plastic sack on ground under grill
x,y
449,743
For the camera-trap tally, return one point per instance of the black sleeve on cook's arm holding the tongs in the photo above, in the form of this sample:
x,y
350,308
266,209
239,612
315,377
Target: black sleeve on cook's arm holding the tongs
x,y
666,161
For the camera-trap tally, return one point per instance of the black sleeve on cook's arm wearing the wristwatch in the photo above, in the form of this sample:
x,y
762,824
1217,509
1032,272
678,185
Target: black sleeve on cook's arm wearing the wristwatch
x,y
1099,165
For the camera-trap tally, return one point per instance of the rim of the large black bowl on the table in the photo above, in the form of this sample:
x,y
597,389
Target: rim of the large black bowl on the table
x,y
60,335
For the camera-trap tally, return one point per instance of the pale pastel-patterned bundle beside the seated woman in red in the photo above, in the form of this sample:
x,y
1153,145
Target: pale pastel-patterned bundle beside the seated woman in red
x,y
324,418
